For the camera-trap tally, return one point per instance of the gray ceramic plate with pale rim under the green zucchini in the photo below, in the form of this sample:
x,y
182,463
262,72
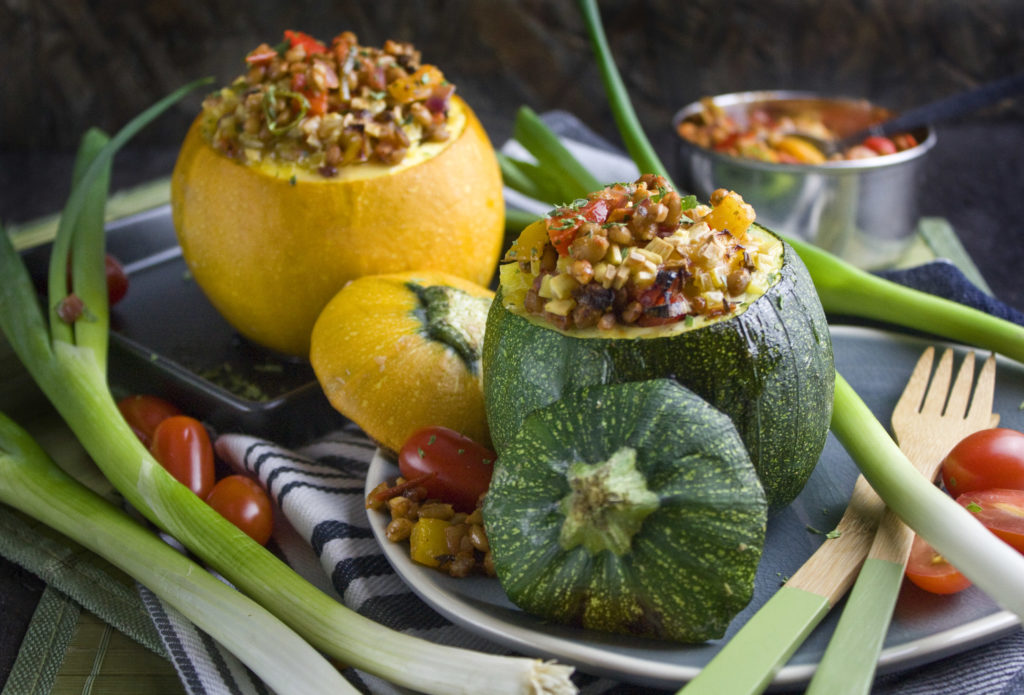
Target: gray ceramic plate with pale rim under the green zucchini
x,y
925,628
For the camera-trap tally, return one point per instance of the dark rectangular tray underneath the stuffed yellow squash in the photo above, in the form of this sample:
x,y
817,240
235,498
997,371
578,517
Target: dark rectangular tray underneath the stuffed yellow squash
x,y
168,340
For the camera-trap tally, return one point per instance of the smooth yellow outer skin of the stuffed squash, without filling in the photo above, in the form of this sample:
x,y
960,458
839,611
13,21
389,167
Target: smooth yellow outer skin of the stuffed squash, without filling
x,y
271,251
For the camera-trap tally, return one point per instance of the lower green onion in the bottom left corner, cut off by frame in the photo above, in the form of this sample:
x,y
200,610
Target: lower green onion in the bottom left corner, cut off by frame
x,y
30,482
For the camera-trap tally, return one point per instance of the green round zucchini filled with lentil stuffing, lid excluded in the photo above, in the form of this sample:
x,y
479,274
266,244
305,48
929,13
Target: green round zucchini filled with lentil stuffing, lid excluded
x,y
635,283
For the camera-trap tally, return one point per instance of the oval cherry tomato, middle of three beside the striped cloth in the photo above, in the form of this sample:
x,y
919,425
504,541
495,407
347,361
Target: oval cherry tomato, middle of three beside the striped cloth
x,y
182,445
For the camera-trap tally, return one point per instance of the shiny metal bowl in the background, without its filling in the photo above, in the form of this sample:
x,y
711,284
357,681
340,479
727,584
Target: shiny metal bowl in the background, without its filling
x,y
865,211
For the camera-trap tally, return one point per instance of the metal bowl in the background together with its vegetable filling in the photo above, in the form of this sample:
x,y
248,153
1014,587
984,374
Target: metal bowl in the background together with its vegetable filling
x,y
861,203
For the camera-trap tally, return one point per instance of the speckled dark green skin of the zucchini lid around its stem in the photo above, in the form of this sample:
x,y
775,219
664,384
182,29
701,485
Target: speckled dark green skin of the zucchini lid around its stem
x,y
692,566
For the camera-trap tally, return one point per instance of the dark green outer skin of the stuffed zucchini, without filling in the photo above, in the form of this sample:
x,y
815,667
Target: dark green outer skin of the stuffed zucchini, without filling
x,y
771,369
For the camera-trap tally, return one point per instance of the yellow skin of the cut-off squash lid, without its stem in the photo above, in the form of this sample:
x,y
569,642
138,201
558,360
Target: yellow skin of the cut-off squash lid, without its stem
x,y
378,368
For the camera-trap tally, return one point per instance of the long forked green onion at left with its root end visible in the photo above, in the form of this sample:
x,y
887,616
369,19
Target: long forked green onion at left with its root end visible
x,y
66,353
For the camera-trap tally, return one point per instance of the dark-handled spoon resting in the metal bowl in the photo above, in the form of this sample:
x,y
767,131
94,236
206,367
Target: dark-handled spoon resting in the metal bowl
x,y
949,108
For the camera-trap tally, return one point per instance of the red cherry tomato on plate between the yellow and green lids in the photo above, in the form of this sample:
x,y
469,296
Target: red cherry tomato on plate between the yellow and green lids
x,y
461,468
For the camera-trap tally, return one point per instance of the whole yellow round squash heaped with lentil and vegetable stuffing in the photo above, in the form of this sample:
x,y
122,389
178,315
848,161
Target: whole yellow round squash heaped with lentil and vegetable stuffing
x,y
325,163
